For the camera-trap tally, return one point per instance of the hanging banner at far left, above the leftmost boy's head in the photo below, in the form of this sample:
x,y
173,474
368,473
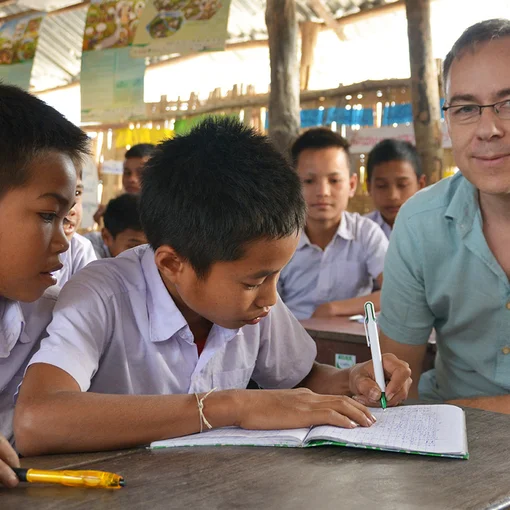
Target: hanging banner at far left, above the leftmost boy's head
x,y
18,42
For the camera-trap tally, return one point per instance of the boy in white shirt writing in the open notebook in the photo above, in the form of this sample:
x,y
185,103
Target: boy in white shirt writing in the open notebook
x,y
148,344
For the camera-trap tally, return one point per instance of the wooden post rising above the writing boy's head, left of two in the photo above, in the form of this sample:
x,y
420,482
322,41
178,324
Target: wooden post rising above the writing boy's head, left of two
x,y
284,117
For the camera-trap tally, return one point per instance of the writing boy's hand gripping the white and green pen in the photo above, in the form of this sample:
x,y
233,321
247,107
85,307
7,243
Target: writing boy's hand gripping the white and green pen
x,y
366,391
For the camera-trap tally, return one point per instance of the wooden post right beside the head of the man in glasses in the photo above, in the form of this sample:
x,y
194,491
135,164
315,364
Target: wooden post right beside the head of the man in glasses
x,y
424,89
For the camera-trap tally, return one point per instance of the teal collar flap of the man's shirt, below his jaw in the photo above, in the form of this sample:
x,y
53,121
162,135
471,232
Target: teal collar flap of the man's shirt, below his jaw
x,y
463,204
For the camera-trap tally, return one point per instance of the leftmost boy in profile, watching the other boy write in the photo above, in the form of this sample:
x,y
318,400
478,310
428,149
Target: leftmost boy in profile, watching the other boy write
x,y
40,152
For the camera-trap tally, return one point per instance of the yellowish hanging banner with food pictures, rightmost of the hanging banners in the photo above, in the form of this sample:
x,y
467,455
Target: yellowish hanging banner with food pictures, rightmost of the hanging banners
x,y
181,26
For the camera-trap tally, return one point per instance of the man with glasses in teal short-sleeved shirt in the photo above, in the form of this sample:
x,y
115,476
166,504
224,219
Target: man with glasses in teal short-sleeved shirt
x,y
448,264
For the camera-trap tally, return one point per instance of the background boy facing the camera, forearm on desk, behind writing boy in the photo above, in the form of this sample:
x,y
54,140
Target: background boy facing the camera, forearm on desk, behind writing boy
x,y
340,255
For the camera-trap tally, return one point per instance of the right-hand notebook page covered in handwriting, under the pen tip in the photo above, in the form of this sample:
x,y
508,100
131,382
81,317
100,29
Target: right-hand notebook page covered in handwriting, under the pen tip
x,y
425,428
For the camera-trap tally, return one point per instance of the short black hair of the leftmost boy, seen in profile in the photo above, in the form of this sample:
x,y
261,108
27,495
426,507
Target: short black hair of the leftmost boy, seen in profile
x,y
29,128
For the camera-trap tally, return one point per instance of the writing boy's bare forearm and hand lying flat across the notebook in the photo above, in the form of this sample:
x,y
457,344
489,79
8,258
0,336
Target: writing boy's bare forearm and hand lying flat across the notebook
x,y
52,415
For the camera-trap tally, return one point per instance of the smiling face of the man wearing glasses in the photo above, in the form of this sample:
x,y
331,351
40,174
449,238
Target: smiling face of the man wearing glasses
x,y
482,148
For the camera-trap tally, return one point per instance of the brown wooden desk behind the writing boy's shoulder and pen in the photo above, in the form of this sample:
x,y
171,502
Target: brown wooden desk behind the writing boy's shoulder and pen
x,y
339,335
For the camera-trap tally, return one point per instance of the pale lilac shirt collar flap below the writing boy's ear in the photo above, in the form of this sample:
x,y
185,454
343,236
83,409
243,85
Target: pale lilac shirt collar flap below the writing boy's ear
x,y
165,319
